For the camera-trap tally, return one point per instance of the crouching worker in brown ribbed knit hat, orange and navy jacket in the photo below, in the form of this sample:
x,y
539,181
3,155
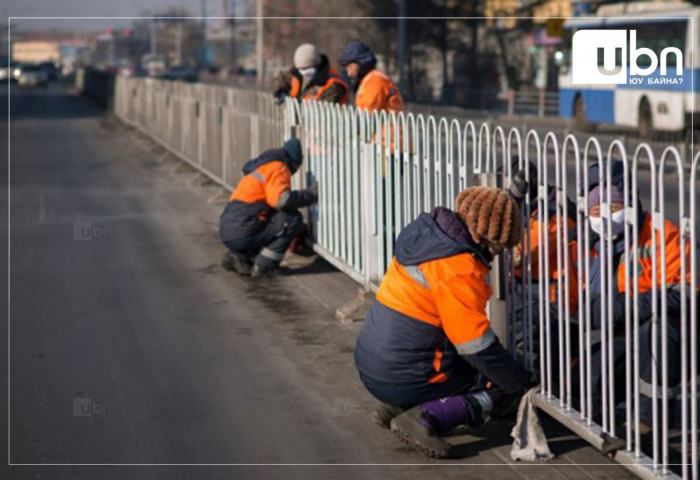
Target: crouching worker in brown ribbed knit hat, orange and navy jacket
x,y
426,350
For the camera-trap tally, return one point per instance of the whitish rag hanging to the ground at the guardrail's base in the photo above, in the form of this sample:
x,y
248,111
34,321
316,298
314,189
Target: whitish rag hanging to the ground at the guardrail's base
x,y
530,443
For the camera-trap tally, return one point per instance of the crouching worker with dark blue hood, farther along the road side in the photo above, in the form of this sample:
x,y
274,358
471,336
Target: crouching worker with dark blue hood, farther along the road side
x,y
262,215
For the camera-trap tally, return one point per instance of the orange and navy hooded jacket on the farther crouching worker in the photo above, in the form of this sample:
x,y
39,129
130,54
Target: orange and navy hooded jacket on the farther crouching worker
x,y
264,189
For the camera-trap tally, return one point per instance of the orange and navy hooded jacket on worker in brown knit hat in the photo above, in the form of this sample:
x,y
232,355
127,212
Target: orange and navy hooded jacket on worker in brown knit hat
x,y
430,310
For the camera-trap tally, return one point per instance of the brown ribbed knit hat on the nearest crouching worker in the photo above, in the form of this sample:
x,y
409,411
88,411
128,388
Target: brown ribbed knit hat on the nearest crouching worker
x,y
491,215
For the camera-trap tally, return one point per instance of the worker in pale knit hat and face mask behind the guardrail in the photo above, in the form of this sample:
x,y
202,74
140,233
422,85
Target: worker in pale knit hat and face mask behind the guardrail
x,y
311,78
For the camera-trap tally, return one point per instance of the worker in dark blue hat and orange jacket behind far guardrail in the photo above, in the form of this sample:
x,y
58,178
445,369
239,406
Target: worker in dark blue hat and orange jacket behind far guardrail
x,y
373,89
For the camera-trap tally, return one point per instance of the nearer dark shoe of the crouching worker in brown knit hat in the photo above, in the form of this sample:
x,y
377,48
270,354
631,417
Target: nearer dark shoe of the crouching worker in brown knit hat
x,y
414,428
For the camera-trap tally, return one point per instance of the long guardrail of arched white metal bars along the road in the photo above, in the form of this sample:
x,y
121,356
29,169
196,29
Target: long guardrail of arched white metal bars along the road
x,y
377,172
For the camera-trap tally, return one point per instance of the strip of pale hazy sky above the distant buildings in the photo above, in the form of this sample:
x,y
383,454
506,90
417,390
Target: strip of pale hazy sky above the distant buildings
x,y
97,8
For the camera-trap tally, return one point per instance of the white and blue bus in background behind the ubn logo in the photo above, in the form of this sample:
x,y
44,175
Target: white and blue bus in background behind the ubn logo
x,y
651,105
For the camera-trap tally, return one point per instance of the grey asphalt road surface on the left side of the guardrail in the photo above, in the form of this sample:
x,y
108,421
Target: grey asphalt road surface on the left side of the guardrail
x,y
129,345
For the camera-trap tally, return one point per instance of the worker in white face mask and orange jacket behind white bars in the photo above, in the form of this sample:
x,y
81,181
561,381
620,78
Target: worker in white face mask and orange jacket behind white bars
x,y
648,294
